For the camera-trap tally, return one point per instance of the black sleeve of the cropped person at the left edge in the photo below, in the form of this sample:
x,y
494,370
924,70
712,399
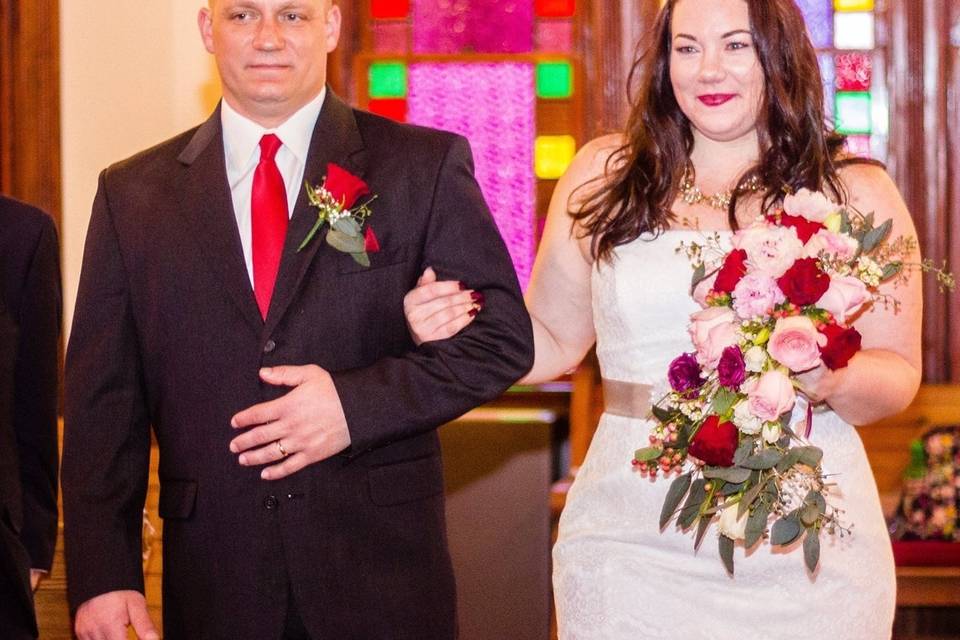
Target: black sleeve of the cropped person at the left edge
x,y
35,397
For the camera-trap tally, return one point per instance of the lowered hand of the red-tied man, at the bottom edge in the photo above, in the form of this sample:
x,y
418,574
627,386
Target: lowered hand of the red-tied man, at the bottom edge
x,y
107,616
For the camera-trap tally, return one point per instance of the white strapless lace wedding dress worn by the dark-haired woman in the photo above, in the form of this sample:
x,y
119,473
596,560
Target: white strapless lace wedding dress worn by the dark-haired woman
x,y
617,576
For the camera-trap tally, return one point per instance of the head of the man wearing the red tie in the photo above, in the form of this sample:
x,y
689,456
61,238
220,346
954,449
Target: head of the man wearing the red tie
x,y
271,54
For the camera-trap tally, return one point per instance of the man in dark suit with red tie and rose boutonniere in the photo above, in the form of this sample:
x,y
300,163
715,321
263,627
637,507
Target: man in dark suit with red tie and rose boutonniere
x,y
300,473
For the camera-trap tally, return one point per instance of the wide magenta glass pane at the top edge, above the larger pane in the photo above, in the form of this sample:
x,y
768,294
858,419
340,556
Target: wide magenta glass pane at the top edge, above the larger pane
x,y
465,26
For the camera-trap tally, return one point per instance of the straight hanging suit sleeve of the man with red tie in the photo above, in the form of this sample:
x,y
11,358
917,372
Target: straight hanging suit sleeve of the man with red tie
x,y
105,470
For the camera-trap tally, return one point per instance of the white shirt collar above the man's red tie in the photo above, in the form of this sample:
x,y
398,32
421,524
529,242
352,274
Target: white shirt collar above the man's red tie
x,y
241,136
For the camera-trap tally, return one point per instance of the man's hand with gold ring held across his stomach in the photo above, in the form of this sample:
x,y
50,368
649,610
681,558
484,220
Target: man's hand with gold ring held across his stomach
x,y
305,426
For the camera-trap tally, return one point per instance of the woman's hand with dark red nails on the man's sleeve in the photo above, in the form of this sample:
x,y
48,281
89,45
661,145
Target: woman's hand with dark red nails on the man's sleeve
x,y
439,309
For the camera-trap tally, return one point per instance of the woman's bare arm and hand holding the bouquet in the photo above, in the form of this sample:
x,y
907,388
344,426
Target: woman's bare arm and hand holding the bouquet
x,y
883,377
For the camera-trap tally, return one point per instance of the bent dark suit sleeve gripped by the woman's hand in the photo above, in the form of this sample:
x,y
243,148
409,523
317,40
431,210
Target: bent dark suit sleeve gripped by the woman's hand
x,y
399,397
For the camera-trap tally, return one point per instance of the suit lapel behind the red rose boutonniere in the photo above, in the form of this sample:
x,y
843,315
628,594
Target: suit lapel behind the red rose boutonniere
x,y
335,139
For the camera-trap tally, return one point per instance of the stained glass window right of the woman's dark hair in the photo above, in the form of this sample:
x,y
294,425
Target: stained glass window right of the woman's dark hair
x,y
844,33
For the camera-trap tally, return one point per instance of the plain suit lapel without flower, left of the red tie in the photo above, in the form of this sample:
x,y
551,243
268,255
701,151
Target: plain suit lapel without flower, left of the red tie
x,y
207,206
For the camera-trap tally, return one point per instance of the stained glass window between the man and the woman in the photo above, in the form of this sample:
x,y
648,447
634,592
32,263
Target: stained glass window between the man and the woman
x,y
504,74
